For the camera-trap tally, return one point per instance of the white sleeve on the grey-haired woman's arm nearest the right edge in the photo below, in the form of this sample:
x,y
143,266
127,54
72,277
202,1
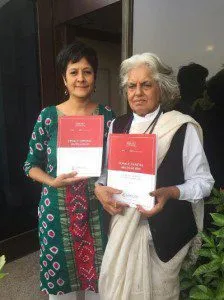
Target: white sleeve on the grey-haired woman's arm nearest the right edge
x,y
198,179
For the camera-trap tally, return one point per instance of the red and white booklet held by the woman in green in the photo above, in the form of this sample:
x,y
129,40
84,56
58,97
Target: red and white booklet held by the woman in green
x,y
80,145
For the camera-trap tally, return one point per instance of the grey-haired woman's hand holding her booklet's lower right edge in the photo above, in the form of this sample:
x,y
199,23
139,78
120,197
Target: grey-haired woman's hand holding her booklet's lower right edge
x,y
161,195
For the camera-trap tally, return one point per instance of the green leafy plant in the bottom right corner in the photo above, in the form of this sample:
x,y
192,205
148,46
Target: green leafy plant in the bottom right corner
x,y
205,280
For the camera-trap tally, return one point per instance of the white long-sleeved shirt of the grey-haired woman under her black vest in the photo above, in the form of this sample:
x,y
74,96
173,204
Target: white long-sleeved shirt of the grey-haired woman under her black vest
x,y
198,179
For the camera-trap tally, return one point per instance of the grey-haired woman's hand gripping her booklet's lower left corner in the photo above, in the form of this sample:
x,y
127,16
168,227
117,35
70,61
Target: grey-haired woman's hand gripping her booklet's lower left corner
x,y
105,196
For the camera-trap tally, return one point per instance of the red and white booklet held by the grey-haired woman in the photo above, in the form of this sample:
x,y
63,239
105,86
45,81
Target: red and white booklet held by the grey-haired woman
x,y
132,167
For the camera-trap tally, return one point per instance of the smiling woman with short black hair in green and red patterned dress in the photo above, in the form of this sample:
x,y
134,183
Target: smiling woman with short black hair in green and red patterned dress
x,y
71,230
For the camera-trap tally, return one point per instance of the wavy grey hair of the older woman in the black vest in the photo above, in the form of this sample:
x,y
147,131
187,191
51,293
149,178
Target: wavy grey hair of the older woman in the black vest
x,y
162,74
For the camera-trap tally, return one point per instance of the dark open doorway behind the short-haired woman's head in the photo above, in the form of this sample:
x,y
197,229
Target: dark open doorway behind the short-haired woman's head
x,y
101,29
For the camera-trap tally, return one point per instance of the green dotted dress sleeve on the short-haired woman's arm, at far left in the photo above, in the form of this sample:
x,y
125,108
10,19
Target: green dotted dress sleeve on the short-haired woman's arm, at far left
x,y
38,145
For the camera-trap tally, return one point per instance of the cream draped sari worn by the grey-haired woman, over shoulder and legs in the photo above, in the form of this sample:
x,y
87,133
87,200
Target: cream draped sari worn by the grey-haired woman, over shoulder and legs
x,y
131,269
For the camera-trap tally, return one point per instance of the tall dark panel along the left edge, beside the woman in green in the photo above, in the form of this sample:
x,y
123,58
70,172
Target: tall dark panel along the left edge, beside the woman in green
x,y
19,106
